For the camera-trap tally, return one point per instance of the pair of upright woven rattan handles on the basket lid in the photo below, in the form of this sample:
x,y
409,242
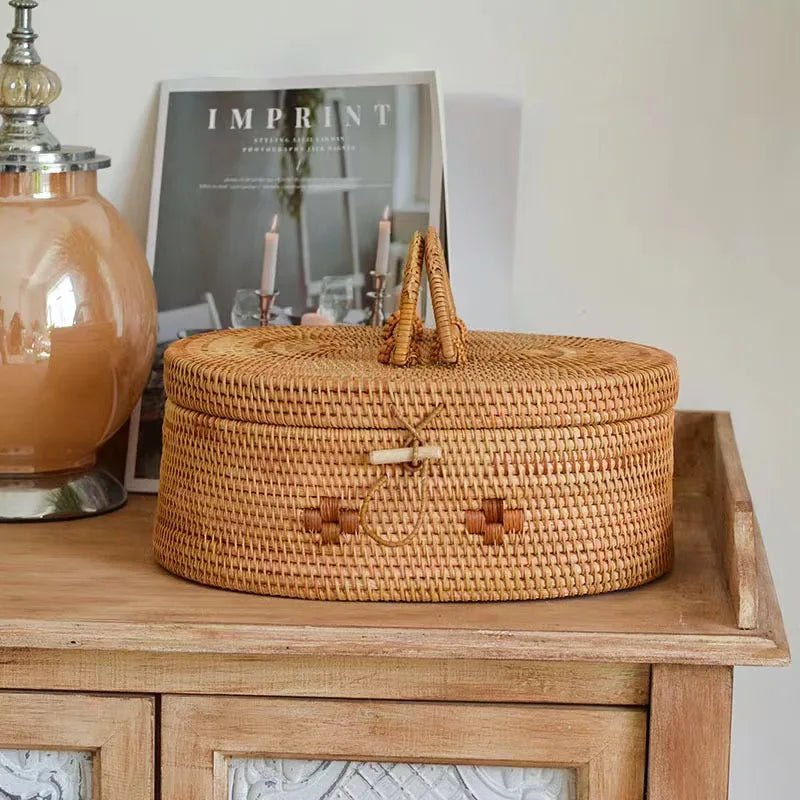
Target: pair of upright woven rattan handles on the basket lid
x,y
403,331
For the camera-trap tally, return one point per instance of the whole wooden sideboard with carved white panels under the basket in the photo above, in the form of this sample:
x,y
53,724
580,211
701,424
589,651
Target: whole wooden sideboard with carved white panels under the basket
x,y
119,681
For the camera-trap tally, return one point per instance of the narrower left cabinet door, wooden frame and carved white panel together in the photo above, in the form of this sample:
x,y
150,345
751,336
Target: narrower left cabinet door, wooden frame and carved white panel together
x,y
75,747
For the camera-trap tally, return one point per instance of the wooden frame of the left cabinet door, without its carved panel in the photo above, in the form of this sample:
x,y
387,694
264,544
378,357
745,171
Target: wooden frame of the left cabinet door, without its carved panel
x,y
118,731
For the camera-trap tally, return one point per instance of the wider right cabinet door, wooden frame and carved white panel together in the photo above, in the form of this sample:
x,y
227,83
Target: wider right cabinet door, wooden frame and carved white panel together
x,y
234,748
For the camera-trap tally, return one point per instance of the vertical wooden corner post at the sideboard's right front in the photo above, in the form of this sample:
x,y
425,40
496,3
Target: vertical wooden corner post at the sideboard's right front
x,y
690,732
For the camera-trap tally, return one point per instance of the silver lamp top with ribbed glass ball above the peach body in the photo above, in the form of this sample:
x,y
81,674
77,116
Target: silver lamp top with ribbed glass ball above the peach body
x,y
27,88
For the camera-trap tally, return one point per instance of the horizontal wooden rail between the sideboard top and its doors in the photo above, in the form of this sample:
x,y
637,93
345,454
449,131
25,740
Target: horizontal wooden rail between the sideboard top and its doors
x,y
579,683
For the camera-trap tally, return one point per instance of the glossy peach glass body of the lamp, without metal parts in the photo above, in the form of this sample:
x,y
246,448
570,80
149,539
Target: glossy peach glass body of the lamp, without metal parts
x,y
77,321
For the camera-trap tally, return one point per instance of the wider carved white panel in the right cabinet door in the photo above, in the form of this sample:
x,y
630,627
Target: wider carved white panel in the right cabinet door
x,y
271,779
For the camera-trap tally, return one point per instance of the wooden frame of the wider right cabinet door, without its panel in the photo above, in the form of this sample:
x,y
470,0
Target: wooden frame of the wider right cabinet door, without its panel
x,y
604,745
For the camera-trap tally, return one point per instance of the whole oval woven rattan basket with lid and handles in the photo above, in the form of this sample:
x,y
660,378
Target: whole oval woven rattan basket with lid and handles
x,y
308,462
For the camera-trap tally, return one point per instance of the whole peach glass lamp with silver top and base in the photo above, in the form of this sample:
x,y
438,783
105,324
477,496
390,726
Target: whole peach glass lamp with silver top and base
x,y
77,304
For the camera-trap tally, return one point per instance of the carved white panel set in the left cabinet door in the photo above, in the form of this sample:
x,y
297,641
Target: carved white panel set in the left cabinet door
x,y
43,775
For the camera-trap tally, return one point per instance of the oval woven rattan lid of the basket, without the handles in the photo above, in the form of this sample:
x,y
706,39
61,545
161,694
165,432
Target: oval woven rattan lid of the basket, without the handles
x,y
329,377
